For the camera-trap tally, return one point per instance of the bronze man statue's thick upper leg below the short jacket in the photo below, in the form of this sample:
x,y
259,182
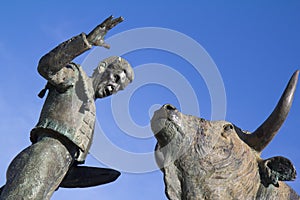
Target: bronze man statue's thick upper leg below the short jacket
x,y
37,171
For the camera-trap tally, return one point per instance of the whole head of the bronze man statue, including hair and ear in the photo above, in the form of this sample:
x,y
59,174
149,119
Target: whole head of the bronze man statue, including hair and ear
x,y
111,75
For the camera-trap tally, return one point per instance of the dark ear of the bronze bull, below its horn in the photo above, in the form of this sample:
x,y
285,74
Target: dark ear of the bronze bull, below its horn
x,y
276,169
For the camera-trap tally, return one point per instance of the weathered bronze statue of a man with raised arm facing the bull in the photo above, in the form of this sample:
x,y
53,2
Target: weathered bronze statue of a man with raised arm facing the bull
x,y
63,135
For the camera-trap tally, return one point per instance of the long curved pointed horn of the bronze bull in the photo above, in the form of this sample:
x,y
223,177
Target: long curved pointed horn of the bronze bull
x,y
263,135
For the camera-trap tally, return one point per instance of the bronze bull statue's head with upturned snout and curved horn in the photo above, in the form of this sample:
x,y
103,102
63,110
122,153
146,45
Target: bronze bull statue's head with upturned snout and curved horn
x,y
204,159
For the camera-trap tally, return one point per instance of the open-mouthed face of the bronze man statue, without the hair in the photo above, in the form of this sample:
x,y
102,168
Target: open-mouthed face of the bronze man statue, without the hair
x,y
112,81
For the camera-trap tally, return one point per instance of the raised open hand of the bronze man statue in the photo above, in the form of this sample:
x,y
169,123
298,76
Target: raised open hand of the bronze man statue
x,y
96,36
